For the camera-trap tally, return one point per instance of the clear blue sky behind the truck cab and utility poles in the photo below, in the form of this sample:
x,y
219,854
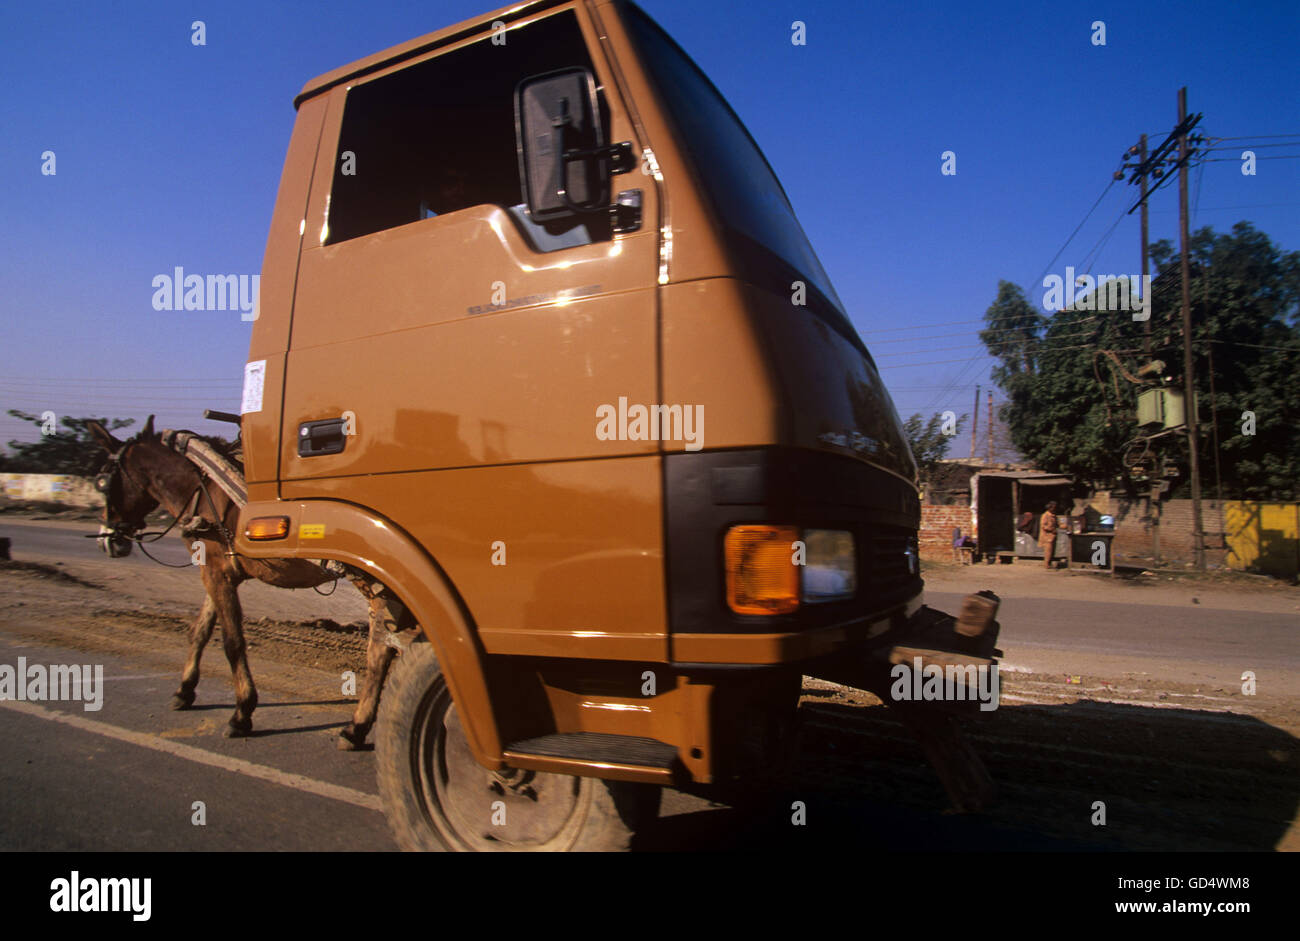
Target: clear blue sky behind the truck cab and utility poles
x,y
171,154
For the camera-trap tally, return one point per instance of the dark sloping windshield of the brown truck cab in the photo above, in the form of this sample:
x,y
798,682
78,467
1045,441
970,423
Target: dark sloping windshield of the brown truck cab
x,y
734,172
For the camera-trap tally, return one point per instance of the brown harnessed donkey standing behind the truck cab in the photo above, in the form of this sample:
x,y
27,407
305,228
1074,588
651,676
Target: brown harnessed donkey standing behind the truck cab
x,y
144,474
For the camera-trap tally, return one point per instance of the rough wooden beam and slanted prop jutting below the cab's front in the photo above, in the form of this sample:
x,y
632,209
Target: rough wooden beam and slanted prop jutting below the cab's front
x,y
933,639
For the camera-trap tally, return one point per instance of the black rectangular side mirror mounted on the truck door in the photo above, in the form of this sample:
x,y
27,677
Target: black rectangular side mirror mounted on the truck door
x,y
564,154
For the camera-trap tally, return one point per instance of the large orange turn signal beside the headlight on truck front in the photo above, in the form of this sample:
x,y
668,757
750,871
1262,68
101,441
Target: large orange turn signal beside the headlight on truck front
x,y
762,578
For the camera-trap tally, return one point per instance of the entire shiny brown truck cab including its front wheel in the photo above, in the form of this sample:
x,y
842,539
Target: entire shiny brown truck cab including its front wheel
x,y
544,350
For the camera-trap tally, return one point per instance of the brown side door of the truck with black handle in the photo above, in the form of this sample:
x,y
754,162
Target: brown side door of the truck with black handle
x,y
449,353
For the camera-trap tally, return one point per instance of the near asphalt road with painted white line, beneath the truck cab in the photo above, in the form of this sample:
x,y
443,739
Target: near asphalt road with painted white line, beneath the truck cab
x,y
128,777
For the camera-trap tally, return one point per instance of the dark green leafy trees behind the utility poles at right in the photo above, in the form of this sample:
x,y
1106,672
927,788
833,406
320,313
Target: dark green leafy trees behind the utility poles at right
x,y
1072,409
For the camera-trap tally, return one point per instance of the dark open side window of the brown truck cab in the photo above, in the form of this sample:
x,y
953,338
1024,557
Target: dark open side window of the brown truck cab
x,y
440,136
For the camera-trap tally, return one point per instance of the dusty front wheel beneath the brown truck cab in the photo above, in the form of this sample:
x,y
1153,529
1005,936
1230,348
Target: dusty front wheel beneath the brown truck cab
x,y
437,797
